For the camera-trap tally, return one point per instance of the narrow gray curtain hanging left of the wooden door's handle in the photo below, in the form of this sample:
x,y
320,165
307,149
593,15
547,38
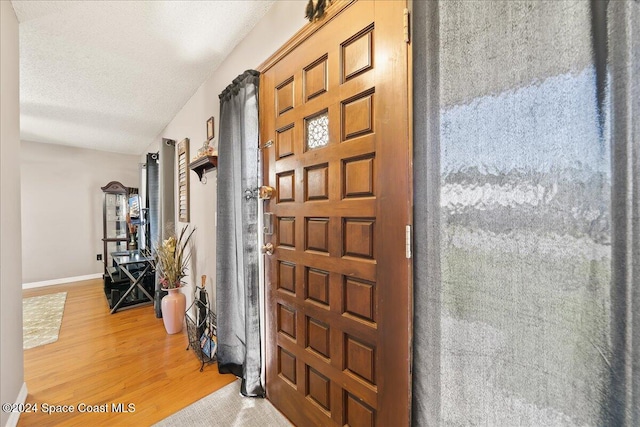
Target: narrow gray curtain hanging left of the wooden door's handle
x,y
237,290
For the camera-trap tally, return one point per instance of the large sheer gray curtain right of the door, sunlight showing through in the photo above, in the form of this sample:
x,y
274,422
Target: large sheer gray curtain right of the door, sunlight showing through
x,y
527,206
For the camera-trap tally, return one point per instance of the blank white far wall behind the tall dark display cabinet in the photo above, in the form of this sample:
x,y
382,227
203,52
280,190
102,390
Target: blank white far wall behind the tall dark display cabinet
x,y
62,207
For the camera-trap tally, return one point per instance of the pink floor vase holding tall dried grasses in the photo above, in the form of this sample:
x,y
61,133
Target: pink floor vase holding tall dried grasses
x,y
171,261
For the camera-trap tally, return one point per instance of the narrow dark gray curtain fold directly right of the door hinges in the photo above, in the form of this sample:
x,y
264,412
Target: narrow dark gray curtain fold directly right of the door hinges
x,y
426,216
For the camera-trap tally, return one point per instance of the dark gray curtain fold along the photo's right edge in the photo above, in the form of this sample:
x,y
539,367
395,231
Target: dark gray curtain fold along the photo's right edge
x,y
624,117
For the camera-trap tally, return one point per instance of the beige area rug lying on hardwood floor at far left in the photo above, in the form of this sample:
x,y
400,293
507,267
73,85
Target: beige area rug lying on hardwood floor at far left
x,y
41,319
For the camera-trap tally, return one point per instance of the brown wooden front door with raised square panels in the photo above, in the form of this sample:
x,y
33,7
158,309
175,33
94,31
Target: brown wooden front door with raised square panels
x,y
338,281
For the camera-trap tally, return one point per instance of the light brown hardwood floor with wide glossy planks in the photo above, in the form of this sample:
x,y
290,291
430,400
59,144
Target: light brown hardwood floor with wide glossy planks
x,y
103,358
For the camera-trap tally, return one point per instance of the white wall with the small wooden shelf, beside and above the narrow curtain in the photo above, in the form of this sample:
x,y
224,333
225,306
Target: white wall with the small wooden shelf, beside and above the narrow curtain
x,y
281,22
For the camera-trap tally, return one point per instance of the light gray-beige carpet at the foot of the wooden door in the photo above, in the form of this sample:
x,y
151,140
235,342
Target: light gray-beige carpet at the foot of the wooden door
x,y
226,407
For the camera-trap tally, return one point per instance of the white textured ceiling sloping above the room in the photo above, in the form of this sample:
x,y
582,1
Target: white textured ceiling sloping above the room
x,y
110,75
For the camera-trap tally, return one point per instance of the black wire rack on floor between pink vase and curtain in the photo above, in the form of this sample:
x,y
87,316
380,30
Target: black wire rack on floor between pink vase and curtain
x,y
202,331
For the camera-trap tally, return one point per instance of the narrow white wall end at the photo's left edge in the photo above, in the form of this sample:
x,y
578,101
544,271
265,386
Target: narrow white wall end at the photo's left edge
x,y
11,364
